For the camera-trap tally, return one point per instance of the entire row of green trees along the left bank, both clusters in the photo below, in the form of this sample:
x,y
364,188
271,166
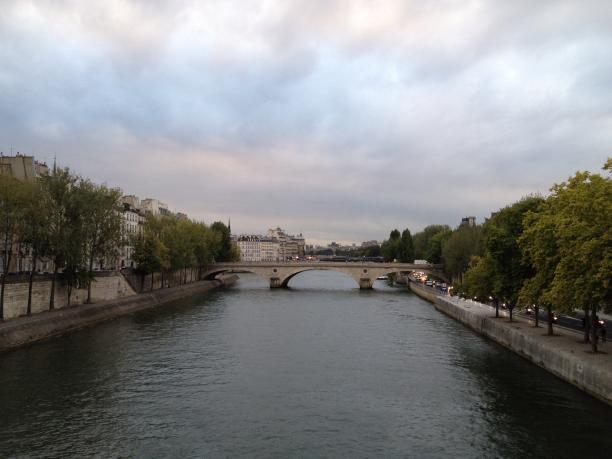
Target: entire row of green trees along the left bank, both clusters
x,y
73,223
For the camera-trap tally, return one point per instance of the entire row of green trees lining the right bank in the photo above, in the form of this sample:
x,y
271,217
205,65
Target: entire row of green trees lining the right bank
x,y
552,252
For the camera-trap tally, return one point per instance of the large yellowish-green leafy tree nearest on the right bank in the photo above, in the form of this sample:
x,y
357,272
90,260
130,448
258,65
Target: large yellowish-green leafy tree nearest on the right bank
x,y
568,243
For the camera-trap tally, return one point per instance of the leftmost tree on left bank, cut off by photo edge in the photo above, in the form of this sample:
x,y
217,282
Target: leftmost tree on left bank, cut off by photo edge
x,y
12,198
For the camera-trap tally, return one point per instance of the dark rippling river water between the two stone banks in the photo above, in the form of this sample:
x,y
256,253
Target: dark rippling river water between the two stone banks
x,y
319,370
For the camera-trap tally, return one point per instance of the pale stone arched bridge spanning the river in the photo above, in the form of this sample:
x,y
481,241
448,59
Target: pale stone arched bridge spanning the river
x,y
278,274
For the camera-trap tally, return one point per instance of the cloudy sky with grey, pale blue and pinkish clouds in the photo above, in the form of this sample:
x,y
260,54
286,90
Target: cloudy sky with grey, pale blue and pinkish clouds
x,y
338,119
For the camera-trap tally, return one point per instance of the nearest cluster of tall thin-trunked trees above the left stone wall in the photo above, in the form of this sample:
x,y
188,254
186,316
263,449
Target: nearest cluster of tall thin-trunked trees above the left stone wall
x,y
62,218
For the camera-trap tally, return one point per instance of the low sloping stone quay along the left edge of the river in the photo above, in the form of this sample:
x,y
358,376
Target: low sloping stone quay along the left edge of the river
x,y
25,330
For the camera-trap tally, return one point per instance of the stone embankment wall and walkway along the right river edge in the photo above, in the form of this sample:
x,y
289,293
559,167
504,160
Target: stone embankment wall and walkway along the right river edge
x,y
563,354
